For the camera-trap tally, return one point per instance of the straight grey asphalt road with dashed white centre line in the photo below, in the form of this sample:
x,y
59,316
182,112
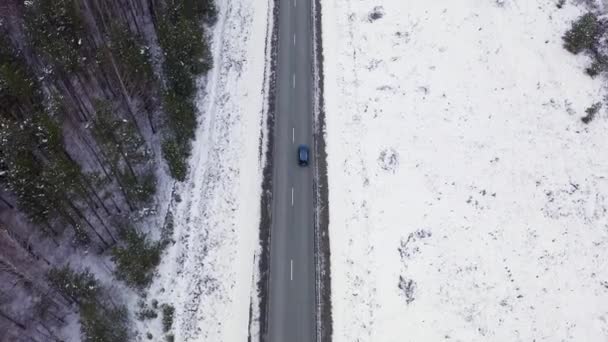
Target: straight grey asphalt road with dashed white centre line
x,y
292,277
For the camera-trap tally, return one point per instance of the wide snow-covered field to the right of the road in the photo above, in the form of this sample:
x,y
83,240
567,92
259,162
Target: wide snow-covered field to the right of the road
x,y
468,202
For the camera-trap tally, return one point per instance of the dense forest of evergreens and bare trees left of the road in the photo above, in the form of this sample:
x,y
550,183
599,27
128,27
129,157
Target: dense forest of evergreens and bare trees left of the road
x,y
96,111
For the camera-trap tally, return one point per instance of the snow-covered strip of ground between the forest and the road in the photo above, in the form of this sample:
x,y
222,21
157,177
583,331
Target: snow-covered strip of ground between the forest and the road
x,y
208,273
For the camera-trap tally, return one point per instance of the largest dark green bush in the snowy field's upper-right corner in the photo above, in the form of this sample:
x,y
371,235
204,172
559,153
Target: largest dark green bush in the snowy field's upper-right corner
x,y
583,35
